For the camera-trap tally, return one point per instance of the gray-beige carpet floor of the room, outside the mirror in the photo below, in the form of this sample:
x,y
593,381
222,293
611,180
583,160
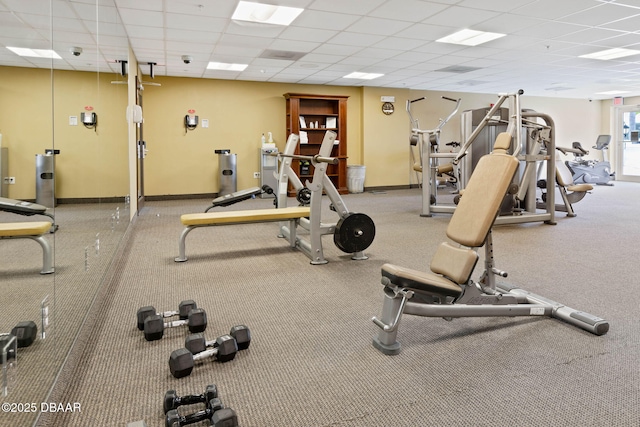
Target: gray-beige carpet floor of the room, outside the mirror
x,y
311,362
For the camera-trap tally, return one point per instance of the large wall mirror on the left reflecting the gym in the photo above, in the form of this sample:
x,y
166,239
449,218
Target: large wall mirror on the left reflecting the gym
x,y
75,106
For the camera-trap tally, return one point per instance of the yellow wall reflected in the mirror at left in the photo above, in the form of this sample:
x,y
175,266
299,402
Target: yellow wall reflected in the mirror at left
x,y
90,164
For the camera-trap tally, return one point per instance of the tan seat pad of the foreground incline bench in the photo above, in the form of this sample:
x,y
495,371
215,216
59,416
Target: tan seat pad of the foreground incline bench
x,y
421,281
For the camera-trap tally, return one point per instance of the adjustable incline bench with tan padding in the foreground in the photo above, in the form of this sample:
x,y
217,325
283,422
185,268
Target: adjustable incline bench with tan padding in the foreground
x,y
447,290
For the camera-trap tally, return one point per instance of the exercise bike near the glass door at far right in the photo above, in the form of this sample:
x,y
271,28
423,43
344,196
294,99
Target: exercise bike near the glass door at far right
x,y
591,171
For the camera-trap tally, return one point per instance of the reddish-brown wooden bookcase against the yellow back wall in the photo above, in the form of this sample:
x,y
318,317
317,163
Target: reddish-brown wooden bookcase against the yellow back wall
x,y
310,116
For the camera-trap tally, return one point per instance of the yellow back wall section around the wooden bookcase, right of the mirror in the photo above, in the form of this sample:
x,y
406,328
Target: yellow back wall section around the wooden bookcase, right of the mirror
x,y
239,112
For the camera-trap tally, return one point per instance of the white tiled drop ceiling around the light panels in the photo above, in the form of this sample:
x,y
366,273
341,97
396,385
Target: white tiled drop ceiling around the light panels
x,y
396,37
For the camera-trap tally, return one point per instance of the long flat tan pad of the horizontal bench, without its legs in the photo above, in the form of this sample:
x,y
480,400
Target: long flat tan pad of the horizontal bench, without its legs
x,y
242,217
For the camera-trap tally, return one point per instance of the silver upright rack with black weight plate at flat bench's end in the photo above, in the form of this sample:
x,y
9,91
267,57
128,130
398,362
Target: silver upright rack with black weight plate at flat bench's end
x,y
353,233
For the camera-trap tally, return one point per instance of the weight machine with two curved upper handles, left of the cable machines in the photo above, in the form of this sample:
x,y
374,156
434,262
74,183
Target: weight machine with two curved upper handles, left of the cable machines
x,y
428,169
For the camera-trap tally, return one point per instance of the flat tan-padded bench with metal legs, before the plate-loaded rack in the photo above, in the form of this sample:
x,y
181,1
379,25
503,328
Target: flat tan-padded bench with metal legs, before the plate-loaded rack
x,y
192,221
